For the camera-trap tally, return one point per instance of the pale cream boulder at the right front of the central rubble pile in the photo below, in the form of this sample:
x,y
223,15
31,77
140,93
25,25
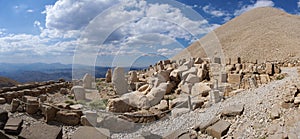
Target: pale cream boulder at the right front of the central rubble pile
x,y
201,89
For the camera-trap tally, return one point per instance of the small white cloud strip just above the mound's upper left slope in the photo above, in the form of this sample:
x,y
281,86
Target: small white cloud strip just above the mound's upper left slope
x,y
259,3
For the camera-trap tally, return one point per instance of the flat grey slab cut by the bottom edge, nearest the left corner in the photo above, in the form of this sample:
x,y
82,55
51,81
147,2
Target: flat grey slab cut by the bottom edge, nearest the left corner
x,y
41,131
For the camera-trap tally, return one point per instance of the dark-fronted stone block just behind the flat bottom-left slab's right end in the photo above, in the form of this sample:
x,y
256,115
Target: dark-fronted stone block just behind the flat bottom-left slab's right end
x,y
69,118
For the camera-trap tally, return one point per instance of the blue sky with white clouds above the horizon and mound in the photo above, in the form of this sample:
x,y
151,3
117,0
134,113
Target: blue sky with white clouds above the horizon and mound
x,y
113,32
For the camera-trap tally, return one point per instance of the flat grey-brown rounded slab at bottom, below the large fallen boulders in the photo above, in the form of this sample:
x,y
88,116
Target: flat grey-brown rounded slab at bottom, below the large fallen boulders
x,y
115,124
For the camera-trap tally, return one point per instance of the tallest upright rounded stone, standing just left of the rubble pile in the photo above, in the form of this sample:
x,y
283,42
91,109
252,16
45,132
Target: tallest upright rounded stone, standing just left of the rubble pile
x,y
119,81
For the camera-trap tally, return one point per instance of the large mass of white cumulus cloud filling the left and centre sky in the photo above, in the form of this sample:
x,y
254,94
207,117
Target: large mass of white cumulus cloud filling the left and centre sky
x,y
126,27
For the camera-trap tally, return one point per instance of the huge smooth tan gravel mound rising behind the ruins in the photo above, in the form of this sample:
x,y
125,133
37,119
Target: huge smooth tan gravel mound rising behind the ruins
x,y
263,34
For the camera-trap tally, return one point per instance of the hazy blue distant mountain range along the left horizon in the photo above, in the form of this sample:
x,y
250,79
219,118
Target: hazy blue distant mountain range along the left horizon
x,y
38,72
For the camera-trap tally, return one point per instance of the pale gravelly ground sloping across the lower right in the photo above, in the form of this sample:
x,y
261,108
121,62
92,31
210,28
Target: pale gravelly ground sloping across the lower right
x,y
257,121
